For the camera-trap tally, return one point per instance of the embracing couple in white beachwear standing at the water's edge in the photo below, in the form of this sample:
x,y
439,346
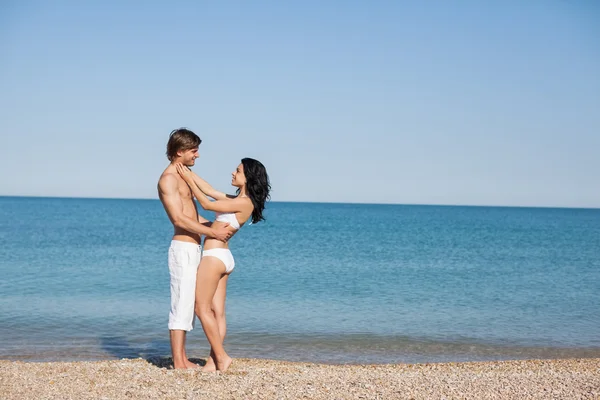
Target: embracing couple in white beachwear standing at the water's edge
x,y
199,272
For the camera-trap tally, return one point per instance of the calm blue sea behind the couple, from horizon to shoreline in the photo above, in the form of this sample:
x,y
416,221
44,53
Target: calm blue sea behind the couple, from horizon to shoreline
x,y
87,279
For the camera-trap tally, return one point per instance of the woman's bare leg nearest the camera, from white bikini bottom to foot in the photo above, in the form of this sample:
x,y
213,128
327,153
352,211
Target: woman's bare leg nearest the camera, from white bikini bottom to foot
x,y
209,274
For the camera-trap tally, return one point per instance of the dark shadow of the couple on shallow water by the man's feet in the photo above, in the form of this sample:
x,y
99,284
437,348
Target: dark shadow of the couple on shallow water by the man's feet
x,y
121,348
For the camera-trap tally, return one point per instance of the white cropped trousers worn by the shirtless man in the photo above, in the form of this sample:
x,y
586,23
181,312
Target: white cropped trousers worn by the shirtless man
x,y
184,258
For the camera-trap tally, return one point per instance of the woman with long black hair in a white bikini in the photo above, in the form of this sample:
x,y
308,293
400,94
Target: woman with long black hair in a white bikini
x,y
217,263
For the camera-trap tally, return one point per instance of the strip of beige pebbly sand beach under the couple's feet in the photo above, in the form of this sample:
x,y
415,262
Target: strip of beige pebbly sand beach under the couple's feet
x,y
266,379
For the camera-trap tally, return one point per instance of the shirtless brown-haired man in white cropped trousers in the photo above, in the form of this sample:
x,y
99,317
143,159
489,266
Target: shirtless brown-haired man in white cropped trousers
x,y
185,251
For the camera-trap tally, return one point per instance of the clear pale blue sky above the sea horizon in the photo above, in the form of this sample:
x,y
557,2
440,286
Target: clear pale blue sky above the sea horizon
x,y
433,102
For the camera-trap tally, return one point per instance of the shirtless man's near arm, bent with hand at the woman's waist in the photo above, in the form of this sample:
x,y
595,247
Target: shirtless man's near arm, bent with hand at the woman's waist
x,y
169,195
